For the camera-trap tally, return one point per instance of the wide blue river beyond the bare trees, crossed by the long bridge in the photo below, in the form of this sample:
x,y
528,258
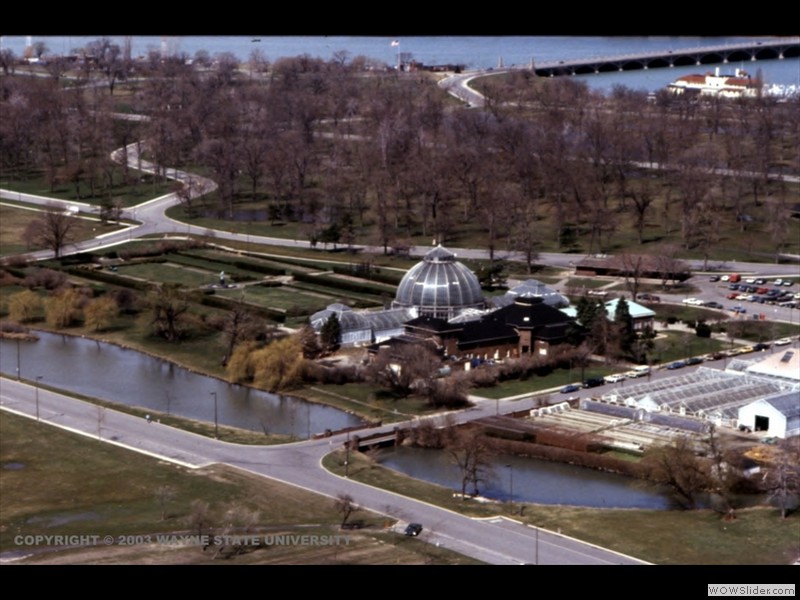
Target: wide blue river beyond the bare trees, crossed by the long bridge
x,y
475,52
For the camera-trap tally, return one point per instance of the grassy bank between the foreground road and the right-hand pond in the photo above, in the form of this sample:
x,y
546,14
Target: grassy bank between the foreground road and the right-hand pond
x,y
757,536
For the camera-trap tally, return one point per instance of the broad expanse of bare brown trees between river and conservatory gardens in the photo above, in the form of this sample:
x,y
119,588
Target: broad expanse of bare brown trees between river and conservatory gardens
x,y
325,142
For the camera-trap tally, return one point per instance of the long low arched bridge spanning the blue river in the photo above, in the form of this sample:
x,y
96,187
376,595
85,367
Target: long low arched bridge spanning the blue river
x,y
757,49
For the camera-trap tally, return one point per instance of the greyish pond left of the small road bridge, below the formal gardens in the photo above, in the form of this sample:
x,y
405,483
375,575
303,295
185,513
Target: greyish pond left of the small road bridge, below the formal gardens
x,y
136,379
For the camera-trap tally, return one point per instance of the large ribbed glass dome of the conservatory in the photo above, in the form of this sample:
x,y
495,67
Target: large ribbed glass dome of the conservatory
x,y
439,286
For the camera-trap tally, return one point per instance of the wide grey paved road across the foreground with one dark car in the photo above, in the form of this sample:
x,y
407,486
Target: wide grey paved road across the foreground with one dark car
x,y
495,541
